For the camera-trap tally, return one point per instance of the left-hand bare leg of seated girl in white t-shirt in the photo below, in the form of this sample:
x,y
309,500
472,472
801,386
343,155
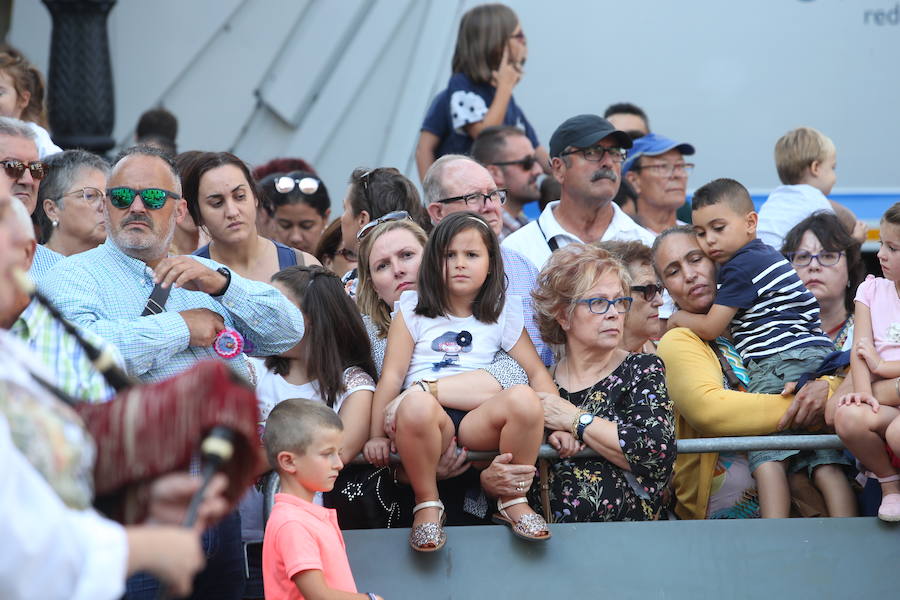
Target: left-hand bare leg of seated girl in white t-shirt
x,y
423,432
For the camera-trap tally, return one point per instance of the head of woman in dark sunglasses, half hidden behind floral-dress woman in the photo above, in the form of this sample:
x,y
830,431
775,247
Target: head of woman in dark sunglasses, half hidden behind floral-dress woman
x,y
642,326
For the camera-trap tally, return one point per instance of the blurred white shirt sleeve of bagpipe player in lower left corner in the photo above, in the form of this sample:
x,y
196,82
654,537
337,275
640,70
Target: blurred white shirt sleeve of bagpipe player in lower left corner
x,y
50,551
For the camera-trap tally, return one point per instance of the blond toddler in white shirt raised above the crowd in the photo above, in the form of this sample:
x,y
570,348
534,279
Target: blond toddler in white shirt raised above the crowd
x,y
806,160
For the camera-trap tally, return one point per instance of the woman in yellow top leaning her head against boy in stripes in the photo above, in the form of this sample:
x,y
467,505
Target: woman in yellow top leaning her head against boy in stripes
x,y
707,403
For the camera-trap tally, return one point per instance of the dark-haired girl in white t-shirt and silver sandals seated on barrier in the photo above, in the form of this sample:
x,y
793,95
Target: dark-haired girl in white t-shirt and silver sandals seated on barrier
x,y
456,321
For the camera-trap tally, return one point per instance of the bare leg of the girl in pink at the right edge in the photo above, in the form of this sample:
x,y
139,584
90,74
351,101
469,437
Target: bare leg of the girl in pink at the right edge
x,y
864,432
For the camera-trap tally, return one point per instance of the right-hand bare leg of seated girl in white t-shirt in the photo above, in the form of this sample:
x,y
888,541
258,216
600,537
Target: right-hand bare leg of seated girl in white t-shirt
x,y
512,421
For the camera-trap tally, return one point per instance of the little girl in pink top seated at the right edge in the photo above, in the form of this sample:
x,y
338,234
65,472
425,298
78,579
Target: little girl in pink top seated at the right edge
x,y
869,418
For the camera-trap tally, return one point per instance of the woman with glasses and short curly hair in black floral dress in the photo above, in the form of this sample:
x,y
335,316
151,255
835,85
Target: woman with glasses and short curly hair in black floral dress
x,y
610,400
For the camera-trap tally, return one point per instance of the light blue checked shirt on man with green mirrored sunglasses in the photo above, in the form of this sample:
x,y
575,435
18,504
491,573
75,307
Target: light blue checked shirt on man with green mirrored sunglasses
x,y
105,291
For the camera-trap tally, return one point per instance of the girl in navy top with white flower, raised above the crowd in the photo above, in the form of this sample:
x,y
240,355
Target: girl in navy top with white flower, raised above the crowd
x,y
487,64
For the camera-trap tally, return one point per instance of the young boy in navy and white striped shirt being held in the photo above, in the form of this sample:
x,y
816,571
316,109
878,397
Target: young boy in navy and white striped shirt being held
x,y
774,321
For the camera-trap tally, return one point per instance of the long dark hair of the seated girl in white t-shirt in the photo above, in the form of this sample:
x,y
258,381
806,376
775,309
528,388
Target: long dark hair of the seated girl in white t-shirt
x,y
434,301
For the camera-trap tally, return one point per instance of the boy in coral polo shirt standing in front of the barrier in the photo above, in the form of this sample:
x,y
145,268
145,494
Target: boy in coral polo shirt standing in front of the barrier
x,y
304,556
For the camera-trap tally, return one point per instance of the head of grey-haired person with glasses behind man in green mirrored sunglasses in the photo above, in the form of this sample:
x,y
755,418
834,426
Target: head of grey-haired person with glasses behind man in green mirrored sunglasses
x,y
70,208
